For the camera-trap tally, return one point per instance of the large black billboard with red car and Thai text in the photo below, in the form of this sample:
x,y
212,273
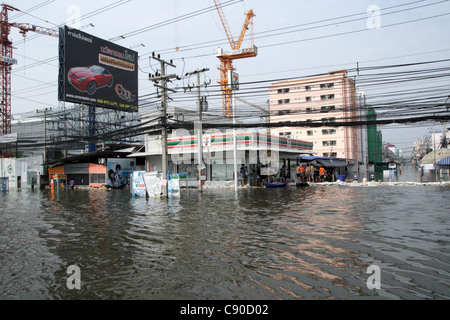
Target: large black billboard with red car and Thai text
x,y
96,72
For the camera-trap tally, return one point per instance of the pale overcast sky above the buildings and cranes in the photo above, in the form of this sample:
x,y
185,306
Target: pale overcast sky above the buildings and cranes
x,y
295,39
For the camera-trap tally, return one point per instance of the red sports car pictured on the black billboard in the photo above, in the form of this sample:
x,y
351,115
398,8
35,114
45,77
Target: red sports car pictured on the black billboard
x,y
89,79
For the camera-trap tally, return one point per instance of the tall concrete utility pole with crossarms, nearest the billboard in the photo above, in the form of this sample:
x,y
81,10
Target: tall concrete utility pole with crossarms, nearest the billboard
x,y
163,78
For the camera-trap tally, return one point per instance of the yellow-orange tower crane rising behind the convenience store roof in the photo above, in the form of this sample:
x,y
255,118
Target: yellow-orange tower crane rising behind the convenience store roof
x,y
226,57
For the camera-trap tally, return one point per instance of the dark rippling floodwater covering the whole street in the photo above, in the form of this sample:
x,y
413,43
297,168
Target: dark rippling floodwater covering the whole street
x,y
293,243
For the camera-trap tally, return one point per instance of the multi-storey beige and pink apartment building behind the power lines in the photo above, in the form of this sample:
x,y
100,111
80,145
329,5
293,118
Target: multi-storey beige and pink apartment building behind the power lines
x,y
330,98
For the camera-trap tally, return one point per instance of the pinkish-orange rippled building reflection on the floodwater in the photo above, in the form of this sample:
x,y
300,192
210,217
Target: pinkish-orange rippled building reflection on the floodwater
x,y
309,226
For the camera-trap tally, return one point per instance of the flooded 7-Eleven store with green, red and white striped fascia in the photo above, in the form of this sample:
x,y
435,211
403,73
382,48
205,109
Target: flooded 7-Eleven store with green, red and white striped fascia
x,y
254,150
